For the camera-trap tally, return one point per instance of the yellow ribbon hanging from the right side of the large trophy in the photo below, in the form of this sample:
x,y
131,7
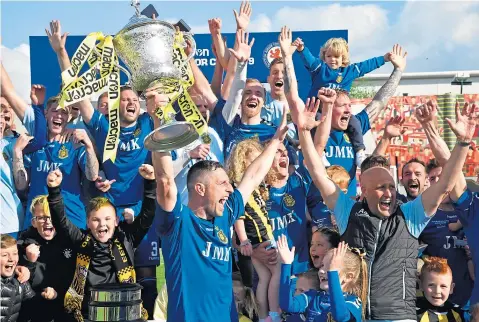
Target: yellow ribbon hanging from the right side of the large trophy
x,y
177,90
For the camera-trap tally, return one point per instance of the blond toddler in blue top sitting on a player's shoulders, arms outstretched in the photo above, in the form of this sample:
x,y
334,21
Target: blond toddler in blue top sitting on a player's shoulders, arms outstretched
x,y
333,70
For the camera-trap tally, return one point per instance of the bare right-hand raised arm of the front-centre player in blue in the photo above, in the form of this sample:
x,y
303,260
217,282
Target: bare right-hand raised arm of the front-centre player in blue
x,y
257,170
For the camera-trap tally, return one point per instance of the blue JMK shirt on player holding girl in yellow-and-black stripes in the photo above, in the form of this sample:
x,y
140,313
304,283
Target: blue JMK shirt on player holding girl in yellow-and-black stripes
x,y
287,214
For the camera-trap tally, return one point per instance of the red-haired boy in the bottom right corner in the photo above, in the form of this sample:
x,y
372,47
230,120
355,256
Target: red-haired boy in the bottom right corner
x,y
436,284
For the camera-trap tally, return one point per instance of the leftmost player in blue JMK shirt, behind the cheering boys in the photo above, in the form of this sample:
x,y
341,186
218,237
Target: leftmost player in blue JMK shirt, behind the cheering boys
x,y
72,158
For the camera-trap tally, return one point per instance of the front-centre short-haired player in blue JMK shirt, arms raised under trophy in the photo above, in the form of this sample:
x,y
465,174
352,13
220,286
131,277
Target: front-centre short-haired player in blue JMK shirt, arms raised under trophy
x,y
196,239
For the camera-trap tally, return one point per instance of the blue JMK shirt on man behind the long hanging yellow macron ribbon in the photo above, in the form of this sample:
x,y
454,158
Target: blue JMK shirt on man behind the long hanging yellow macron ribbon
x,y
131,154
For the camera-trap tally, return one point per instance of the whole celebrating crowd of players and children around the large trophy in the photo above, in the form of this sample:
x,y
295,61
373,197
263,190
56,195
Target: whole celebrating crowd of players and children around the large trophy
x,y
262,223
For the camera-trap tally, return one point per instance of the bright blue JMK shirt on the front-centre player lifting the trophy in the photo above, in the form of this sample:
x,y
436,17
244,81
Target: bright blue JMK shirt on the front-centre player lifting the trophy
x,y
197,255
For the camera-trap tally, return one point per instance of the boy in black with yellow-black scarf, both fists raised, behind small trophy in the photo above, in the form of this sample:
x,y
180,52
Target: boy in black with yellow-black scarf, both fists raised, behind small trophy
x,y
105,252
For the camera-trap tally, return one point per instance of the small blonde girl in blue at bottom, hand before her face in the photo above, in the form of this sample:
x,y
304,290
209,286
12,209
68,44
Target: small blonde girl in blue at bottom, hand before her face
x,y
342,268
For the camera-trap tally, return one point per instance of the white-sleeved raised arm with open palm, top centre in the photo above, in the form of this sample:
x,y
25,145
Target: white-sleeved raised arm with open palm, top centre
x,y
240,54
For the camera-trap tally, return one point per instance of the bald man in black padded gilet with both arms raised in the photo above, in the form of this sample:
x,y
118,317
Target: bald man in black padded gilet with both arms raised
x,y
384,227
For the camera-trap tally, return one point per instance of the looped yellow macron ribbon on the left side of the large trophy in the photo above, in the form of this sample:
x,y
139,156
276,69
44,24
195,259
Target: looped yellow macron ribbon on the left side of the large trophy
x,y
100,57
